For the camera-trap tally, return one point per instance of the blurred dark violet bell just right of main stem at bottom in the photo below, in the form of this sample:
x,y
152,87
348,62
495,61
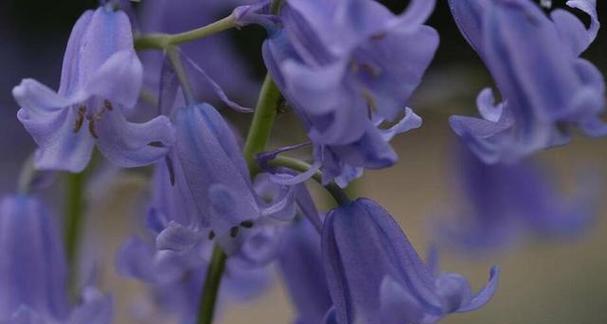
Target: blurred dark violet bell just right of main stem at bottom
x,y
301,265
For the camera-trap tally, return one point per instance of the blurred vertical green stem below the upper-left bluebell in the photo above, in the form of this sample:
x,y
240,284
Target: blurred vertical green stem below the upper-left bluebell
x,y
74,221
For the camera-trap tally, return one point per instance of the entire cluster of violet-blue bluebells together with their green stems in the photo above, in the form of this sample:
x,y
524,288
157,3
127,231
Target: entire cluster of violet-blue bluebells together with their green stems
x,y
222,212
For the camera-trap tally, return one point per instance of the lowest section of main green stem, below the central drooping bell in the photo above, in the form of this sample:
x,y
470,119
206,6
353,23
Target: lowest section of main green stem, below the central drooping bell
x,y
211,286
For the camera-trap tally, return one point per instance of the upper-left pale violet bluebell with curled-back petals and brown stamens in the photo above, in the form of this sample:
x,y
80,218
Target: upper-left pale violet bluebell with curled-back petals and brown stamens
x,y
100,84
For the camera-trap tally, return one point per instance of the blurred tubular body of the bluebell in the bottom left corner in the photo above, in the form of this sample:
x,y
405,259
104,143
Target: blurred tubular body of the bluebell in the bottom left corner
x,y
26,219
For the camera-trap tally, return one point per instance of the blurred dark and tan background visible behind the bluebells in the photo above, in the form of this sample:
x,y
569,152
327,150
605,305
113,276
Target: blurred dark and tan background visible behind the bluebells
x,y
544,280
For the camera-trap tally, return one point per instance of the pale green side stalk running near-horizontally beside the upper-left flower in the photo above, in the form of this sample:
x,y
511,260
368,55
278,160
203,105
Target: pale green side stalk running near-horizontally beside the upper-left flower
x,y
164,41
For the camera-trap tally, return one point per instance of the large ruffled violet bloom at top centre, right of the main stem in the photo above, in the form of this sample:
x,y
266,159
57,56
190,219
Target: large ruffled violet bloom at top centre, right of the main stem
x,y
348,67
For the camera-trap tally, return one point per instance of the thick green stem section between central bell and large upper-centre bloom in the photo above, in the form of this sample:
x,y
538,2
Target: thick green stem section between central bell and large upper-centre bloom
x,y
263,120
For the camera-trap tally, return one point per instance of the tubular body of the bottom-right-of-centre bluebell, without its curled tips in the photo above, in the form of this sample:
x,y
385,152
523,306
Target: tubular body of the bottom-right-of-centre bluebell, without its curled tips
x,y
361,245
